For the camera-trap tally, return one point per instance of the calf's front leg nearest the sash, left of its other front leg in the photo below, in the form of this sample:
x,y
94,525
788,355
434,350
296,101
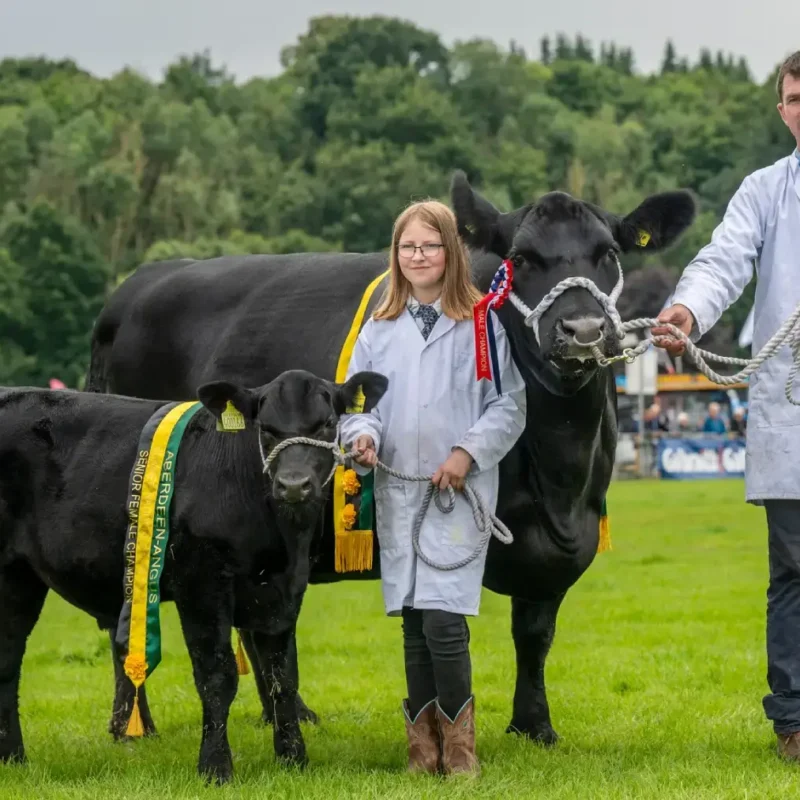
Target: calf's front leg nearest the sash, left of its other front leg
x,y
205,607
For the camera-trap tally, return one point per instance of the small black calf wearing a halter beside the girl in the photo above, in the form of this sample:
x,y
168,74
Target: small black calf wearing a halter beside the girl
x,y
239,544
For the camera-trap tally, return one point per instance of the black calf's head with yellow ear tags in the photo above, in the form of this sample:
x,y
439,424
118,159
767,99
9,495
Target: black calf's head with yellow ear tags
x,y
296,404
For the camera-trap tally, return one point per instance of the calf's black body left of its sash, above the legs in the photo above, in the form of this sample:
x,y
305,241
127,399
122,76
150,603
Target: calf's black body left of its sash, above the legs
x,y
65,462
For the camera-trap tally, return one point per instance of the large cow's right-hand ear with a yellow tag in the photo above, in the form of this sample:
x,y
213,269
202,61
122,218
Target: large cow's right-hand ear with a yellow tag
x,y
656,223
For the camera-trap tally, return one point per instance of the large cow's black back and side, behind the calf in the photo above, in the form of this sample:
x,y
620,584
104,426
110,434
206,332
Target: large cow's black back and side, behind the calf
x,y
172,327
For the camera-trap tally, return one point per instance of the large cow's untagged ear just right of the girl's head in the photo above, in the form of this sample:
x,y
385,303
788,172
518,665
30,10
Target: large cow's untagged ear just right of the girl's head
x,y
480,224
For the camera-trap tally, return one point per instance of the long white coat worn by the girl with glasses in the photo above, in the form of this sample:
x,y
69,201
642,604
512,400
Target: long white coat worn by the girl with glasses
x,y
433,403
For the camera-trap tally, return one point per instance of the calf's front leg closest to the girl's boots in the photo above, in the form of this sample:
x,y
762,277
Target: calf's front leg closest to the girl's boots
x,y
274,652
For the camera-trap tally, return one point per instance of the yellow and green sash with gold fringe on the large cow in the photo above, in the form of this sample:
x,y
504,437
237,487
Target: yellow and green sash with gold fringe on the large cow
x,y
353,495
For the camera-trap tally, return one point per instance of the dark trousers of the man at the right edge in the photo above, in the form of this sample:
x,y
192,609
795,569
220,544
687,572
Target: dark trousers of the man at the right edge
x,y
782,705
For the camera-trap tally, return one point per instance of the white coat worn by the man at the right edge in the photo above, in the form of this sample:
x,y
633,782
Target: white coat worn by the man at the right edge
x,y
762,222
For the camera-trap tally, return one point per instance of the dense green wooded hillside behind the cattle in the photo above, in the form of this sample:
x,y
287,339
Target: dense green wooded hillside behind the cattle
x,y
100,175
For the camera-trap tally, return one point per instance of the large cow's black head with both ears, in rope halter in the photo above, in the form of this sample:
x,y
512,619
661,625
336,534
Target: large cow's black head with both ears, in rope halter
x,y
555,238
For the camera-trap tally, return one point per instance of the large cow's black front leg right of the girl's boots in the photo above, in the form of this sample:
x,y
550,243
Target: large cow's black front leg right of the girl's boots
x,y
533,625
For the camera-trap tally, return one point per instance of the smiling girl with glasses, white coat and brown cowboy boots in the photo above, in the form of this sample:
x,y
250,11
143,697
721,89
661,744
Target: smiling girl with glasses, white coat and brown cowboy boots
x,y
436,418
